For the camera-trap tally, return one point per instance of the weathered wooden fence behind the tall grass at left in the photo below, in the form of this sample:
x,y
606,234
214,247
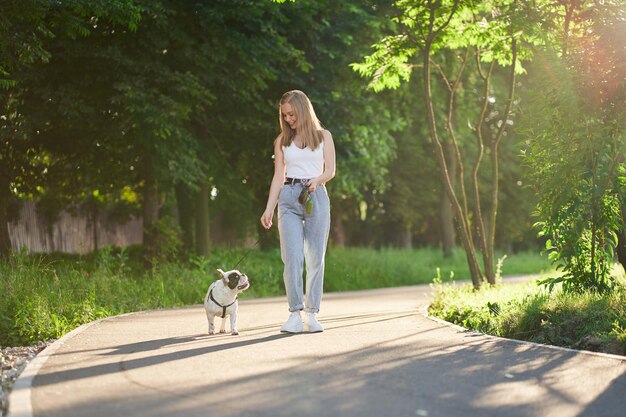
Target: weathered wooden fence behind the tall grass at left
x,y
70,233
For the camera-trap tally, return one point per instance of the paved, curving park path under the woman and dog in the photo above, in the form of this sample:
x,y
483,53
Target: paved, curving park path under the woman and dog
x,y
379,356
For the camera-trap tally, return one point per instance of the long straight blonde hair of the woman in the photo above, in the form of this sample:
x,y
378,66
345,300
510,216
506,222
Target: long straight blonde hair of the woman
x,y
309,127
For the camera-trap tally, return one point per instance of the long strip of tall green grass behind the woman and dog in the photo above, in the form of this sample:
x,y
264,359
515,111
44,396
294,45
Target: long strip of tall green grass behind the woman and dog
x,y
44,297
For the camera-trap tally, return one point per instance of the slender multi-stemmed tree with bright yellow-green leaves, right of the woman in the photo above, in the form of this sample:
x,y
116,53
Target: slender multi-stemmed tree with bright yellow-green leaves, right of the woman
x,y
477,33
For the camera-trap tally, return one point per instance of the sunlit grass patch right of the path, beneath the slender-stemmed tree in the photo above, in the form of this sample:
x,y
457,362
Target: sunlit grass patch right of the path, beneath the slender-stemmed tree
x,y
588,321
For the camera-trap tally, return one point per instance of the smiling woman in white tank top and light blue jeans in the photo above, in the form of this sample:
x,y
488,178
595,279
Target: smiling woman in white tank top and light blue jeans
x,y
304,160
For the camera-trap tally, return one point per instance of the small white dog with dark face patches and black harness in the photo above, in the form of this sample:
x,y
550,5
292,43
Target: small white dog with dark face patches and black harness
x,y
221,299
